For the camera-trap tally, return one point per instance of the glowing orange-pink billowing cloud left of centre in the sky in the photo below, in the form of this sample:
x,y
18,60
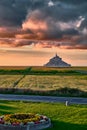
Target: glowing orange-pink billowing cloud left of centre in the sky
x,y
35,24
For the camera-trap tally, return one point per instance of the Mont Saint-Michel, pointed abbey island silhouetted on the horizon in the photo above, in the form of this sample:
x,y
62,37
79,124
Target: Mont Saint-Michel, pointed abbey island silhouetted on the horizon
x,y
56,61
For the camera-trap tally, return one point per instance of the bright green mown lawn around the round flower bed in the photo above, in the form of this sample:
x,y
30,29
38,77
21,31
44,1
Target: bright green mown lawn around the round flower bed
x,y
73,117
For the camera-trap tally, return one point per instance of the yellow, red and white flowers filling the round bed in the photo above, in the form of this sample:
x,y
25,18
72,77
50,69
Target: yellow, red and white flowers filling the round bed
x,y
22,119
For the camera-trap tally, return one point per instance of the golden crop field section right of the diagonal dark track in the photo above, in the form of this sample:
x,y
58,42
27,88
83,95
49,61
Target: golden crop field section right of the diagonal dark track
x,y
46,83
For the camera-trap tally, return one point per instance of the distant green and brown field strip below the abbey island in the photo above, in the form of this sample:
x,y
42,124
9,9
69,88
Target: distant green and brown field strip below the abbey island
x,y
42,70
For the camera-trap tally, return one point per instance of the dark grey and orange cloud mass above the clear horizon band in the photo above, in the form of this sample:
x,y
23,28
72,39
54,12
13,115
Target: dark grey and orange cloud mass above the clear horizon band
x,y
52,23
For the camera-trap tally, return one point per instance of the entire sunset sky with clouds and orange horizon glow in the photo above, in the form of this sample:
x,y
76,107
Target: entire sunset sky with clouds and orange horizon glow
x,y
33,31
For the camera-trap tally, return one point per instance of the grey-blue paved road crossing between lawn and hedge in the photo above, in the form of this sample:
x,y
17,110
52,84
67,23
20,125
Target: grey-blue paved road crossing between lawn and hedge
x,y
71,100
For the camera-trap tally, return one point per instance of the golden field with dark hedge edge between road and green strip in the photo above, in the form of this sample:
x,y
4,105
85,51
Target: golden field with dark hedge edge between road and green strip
x,y
58,85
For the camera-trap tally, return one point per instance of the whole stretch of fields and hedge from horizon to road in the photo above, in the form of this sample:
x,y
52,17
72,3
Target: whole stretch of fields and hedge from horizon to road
x,y
44,81
